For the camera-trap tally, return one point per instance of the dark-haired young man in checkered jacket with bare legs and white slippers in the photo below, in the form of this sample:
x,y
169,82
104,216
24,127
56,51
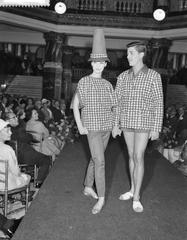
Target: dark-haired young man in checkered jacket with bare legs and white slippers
x,y
139,114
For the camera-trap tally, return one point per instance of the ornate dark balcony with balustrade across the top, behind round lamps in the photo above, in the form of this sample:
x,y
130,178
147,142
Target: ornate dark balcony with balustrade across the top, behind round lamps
x,y
134,14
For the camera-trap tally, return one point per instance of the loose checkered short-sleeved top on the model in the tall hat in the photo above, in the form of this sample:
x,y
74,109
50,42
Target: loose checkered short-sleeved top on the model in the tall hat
x,y
97,98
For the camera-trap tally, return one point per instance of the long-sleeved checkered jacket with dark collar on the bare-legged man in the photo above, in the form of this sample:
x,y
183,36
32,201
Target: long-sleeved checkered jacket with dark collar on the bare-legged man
x,y
140,100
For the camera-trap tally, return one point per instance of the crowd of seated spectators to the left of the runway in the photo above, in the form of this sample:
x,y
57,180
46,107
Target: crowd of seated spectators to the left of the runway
x,y
32,133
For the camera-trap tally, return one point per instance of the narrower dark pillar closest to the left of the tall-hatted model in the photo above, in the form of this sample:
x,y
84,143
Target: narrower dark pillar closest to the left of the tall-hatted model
x,y
67,73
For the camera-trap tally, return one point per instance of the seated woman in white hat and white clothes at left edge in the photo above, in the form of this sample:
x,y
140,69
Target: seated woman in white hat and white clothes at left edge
x,y
16,179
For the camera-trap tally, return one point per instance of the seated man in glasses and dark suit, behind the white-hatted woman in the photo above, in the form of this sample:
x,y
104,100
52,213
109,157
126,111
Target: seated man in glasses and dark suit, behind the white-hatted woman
x,y
25,153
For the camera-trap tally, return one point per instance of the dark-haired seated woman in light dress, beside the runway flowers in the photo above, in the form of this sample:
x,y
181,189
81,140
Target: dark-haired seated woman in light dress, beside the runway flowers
x,y
45,144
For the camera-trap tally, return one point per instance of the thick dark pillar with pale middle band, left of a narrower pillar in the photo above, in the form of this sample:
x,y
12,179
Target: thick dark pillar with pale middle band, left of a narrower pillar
x,y
52,77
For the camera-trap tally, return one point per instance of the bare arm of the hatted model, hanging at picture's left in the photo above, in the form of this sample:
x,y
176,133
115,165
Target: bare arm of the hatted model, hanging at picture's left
x,y
76,112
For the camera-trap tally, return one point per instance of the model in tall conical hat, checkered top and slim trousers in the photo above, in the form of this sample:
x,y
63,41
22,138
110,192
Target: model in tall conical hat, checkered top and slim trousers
x,y
95,97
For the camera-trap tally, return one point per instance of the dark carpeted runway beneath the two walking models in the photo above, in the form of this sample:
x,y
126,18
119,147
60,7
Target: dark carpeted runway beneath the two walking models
x,y
61,212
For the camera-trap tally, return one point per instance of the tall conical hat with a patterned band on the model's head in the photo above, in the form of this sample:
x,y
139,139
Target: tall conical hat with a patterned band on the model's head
x,y
99,53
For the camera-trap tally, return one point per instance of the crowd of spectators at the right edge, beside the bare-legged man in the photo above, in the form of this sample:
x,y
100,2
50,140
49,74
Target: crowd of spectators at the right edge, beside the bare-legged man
x,y
173,138
